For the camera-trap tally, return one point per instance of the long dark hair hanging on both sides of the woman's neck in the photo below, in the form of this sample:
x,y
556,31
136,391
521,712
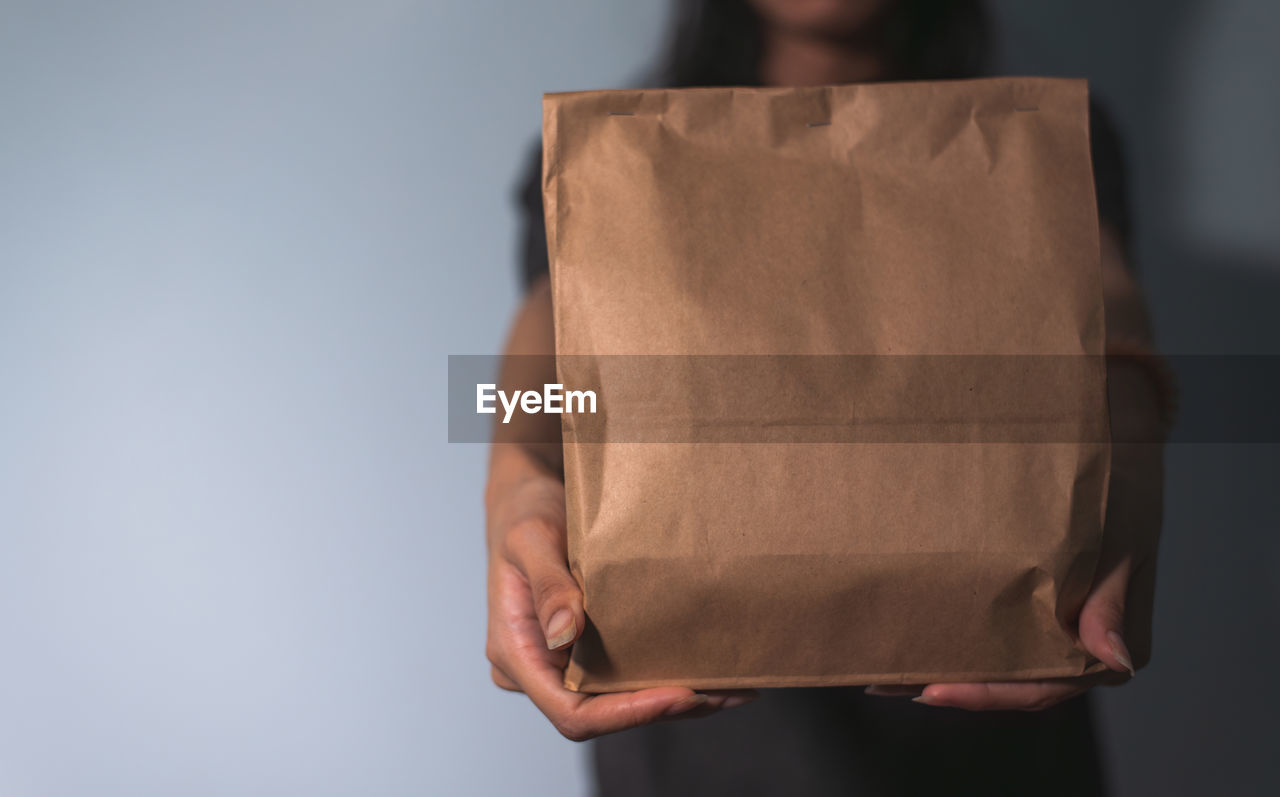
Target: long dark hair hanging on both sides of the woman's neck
x,y
720,43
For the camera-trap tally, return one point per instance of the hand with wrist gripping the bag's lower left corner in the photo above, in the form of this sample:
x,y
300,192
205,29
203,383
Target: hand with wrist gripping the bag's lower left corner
x,y
536,611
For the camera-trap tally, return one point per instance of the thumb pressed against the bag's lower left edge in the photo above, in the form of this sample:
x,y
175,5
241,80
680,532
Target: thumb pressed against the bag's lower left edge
x,y
538,551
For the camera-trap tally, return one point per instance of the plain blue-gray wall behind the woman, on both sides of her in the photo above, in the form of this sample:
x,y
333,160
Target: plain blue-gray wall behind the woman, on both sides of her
x,y
237,241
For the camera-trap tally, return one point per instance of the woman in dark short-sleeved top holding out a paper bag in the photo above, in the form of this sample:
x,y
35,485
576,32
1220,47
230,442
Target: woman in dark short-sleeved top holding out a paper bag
x,y
835,741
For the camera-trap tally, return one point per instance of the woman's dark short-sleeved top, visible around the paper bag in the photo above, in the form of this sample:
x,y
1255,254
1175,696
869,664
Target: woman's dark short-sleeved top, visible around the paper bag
x,y
840,741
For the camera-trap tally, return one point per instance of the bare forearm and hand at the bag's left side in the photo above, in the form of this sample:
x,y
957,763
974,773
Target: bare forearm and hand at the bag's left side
x,y
536,607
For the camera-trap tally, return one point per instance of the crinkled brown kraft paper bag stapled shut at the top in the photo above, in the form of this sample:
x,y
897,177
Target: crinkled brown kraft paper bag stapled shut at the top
x,y
788,301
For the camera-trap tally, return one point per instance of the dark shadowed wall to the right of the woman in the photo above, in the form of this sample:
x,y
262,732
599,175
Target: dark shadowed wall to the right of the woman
x,y
1201,718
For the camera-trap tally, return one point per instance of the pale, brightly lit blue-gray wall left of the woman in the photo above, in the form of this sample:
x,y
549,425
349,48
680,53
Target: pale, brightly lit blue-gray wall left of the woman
x,y
237,241
